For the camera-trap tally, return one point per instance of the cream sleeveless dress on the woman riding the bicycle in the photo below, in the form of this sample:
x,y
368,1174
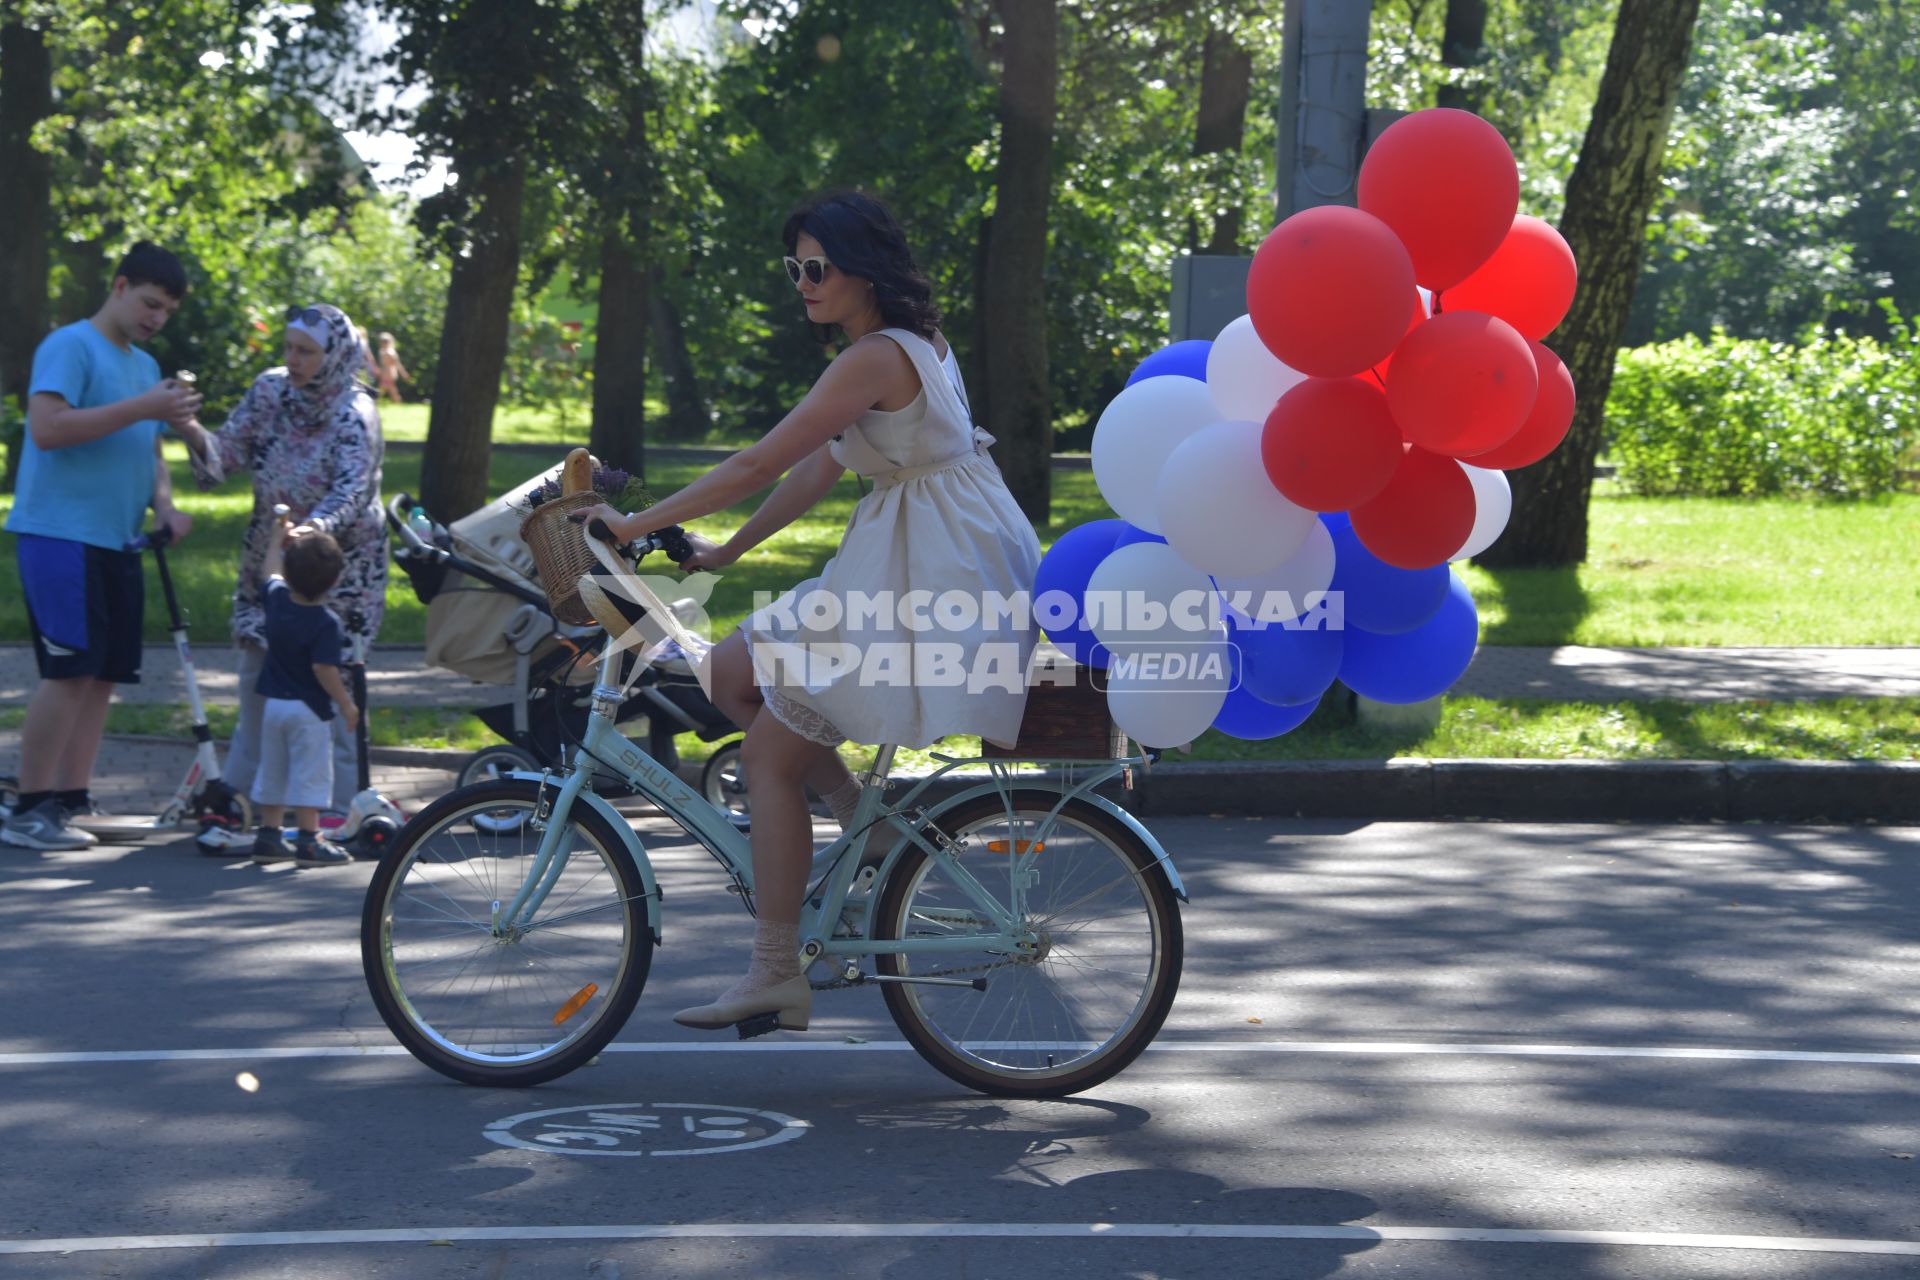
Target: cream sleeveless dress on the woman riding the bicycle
x,y
940,523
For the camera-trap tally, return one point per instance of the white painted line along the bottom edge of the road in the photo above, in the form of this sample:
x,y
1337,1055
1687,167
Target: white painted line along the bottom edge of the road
x,y
994,1231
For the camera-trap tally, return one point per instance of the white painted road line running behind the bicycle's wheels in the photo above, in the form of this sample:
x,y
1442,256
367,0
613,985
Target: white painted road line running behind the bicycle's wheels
x,y
1366,1049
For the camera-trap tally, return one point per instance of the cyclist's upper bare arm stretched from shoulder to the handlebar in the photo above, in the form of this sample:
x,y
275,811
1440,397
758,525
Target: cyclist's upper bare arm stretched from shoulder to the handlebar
x,y
852,385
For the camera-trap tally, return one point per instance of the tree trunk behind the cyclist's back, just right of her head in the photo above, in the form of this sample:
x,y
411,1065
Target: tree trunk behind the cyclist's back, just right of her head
x,y
1019,400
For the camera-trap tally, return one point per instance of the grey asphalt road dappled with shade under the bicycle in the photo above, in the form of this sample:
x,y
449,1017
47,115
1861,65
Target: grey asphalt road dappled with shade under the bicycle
x,y
1401,1051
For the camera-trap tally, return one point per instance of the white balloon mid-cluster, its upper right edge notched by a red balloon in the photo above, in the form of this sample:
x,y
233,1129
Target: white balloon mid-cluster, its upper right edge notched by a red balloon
x,y
1218,508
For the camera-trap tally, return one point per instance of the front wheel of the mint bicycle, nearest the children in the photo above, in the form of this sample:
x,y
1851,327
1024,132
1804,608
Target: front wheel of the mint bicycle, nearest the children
x,y
627,972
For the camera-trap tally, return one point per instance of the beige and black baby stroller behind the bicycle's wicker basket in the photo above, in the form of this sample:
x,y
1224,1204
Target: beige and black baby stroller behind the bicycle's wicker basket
x,y
489,619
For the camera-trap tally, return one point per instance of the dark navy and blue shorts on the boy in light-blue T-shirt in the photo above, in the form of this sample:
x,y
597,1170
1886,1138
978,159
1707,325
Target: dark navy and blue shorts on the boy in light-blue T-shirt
x,y
85,607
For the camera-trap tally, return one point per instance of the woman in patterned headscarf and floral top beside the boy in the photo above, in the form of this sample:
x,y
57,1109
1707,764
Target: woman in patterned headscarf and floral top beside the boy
x,y
310,435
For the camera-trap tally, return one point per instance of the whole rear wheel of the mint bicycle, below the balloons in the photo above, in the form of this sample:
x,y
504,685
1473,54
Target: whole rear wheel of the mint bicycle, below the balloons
x,y
1103,959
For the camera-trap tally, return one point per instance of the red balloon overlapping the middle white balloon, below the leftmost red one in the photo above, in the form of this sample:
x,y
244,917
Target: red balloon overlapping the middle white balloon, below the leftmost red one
x,y
1332,444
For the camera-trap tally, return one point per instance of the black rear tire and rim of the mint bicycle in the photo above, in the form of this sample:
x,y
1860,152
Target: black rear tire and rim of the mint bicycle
x,y
917,1008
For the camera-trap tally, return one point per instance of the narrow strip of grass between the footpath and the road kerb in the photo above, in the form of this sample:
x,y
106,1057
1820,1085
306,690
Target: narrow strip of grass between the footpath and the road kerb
x,y
1470,728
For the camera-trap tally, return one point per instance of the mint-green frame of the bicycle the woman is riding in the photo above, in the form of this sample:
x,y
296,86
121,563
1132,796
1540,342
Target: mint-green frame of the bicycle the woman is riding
x,y
834,872
